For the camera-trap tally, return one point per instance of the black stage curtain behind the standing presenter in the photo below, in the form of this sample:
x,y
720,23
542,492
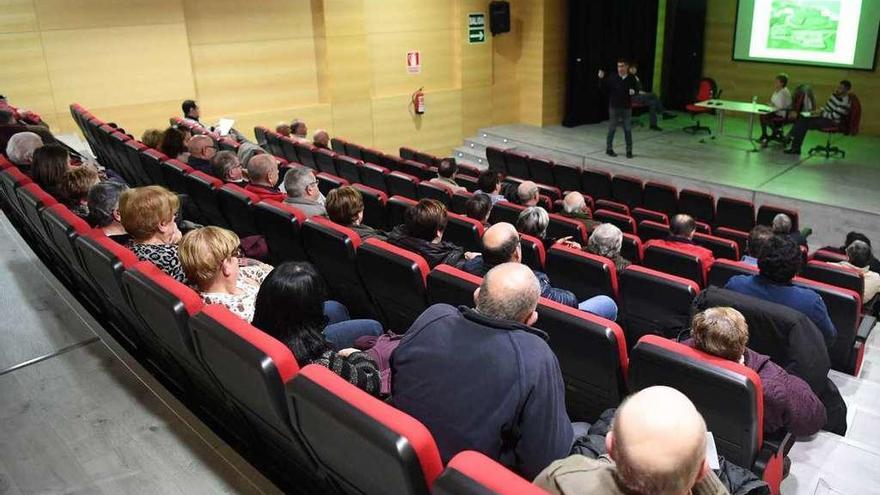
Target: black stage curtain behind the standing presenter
x,y
600,32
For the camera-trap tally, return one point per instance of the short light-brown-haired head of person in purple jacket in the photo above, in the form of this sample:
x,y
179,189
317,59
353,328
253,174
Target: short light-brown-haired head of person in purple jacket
x,y
721,332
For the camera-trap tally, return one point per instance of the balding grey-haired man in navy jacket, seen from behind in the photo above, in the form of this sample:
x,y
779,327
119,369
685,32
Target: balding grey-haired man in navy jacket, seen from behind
x,y
484,379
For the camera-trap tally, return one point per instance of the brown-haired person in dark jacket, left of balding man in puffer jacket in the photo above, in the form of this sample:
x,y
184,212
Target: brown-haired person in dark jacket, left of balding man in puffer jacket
x,y
422,233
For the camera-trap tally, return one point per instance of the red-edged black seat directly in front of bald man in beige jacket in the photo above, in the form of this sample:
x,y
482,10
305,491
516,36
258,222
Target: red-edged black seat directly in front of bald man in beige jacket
x,y
729,395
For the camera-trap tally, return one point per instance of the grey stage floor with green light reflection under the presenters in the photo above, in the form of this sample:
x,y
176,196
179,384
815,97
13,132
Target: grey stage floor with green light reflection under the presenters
x,y
833,196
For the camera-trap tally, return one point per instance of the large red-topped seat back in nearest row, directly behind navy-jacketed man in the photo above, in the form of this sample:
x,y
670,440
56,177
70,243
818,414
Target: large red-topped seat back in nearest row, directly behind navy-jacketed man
x,y
394,453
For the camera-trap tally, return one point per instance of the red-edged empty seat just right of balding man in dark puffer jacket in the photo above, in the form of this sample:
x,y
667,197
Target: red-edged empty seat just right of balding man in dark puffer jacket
x,y
585,274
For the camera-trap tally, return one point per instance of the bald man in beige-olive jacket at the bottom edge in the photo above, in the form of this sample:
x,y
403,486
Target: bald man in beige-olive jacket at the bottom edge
x,y
657,446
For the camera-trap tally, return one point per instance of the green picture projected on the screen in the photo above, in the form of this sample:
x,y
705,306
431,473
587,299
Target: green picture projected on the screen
x,y
804,25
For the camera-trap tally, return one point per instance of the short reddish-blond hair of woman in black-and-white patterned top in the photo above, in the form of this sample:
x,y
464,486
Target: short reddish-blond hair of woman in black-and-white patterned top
x,y
148,212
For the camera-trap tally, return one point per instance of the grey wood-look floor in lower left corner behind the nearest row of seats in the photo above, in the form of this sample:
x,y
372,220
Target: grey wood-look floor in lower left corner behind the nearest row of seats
x,y
78,415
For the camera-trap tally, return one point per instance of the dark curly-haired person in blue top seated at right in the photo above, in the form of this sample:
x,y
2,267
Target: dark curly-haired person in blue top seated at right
x,y
779,262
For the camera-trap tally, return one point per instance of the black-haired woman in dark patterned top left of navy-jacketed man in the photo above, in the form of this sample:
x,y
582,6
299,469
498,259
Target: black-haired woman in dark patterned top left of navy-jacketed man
x,y
291,307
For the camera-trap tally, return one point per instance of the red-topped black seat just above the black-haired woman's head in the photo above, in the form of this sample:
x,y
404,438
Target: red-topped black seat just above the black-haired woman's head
x,y
280,225
